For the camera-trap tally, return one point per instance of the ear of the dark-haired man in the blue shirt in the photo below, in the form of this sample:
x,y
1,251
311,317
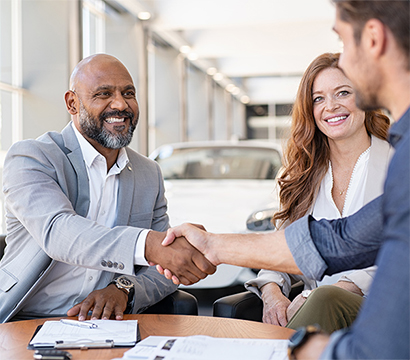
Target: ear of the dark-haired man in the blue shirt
x,y
374,37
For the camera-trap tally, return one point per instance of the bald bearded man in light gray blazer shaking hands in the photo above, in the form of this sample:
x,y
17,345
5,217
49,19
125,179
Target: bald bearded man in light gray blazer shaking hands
x,y
79,205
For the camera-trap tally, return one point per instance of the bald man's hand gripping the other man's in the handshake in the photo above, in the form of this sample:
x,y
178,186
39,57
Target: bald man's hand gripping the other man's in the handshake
x,y
185,264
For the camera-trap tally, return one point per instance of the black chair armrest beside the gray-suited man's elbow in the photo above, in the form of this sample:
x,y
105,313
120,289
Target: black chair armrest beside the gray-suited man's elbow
x,y
177,303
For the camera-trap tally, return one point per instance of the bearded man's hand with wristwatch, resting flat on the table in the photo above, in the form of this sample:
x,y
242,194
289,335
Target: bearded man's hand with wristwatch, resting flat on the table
x,y
103,303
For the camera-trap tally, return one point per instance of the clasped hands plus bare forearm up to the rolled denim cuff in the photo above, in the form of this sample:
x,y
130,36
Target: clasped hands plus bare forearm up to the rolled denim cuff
x,y
189,253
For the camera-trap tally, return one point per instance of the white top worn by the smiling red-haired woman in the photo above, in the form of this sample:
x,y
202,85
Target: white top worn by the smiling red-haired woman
x,y
366,183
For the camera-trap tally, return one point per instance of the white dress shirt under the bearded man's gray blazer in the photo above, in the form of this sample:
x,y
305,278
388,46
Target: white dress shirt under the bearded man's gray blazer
x,y
68,284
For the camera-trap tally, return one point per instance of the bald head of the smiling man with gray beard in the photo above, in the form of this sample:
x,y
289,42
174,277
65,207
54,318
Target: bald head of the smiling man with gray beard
x,y
102,102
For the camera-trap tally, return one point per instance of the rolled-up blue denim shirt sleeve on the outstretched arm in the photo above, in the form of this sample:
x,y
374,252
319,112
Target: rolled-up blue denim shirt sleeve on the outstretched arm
x,y
327,247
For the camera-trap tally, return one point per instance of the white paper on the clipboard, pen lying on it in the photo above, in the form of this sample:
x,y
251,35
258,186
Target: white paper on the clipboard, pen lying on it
x,y
119,333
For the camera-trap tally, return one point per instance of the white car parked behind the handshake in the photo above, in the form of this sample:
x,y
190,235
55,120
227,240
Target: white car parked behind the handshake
x,y
229,187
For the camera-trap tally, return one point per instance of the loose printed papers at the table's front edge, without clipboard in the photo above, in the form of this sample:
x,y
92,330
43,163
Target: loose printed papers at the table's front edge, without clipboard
x,y
206,347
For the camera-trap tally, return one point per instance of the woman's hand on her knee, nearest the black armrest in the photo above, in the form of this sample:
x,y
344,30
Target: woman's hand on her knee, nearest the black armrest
x,y
275,305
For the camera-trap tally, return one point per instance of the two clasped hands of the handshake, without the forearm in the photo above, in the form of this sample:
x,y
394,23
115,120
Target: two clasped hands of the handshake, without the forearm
x,y
185,255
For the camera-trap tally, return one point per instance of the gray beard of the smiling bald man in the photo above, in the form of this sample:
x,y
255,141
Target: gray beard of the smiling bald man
x,y
95,130
